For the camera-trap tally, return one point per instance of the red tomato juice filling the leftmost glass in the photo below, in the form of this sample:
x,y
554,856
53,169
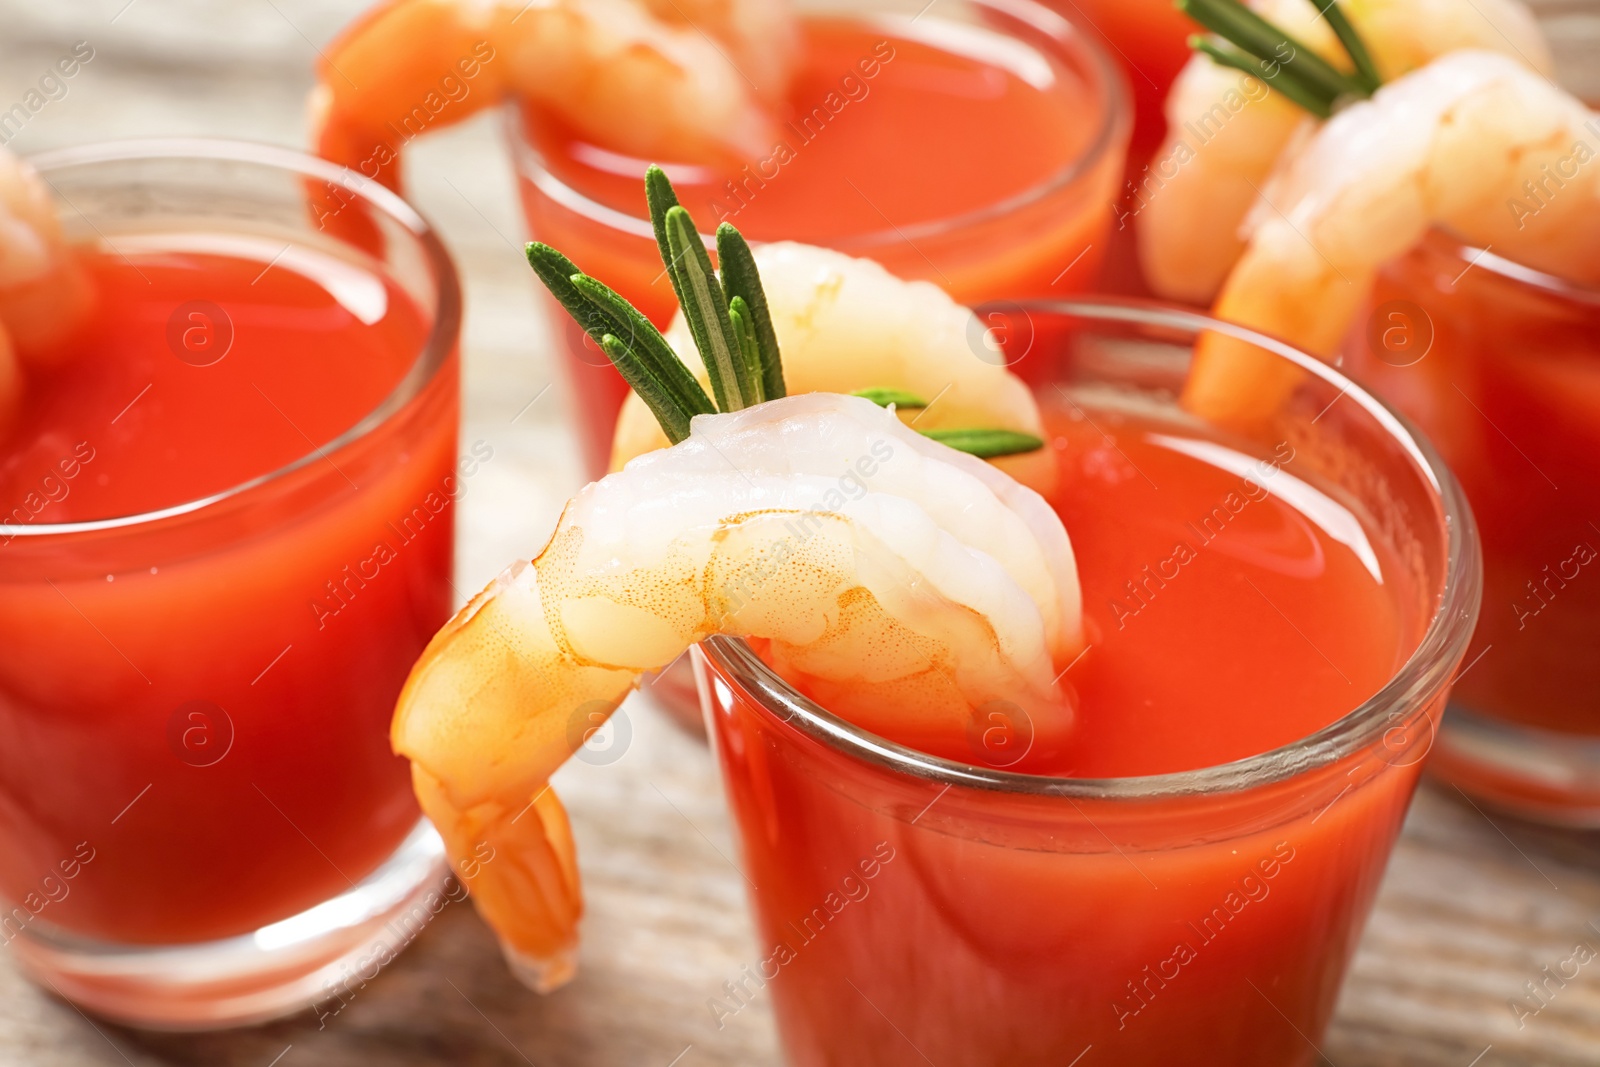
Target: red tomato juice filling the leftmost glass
x,y
201,703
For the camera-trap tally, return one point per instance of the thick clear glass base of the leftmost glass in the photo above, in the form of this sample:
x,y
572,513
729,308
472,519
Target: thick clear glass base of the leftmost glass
x,y
308,961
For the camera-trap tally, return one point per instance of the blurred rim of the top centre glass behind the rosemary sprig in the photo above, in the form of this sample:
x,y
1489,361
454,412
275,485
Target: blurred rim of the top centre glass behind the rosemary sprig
x,y
1118,119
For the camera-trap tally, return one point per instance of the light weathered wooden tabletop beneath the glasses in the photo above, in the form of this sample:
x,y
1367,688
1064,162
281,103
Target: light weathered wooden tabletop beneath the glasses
x,y
1470,913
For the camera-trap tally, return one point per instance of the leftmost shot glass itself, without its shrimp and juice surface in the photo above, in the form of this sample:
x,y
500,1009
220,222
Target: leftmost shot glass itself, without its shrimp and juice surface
x,y
201,818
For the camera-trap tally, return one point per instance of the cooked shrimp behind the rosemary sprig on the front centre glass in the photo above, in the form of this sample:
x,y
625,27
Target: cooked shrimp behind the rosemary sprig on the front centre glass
x,y
846,326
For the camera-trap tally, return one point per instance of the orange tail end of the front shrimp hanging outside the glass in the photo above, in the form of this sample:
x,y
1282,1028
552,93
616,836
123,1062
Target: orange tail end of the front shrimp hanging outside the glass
x,y
482,761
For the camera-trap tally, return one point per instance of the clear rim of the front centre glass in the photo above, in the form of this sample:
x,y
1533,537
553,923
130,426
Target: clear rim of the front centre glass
x,y
1425,673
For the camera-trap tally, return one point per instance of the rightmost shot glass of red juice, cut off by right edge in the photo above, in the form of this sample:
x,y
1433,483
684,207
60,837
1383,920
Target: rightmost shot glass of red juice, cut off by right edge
x,y
1502,367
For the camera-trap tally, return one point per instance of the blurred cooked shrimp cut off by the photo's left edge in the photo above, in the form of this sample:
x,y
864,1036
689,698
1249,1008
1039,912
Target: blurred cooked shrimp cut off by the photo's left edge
x,y
44,290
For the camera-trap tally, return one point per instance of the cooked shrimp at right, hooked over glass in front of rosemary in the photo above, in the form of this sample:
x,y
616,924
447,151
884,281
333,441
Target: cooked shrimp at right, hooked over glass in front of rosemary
x,y
1473,143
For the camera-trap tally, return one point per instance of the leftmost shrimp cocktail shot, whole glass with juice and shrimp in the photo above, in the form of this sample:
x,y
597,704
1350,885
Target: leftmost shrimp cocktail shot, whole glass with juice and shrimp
x,y
228,458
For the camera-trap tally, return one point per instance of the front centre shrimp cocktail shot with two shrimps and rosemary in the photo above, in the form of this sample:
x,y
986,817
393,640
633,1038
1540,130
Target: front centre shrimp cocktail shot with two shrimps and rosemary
x,y
1050,719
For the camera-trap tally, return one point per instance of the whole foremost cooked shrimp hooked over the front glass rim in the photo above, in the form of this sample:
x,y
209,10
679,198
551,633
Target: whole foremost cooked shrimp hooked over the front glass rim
x,y
902,583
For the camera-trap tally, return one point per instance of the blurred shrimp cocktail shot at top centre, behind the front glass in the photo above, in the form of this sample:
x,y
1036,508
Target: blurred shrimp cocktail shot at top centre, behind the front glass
x,y
974,145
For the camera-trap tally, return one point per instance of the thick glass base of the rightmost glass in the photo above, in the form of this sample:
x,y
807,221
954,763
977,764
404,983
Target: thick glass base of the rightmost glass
x,y
1538,775
